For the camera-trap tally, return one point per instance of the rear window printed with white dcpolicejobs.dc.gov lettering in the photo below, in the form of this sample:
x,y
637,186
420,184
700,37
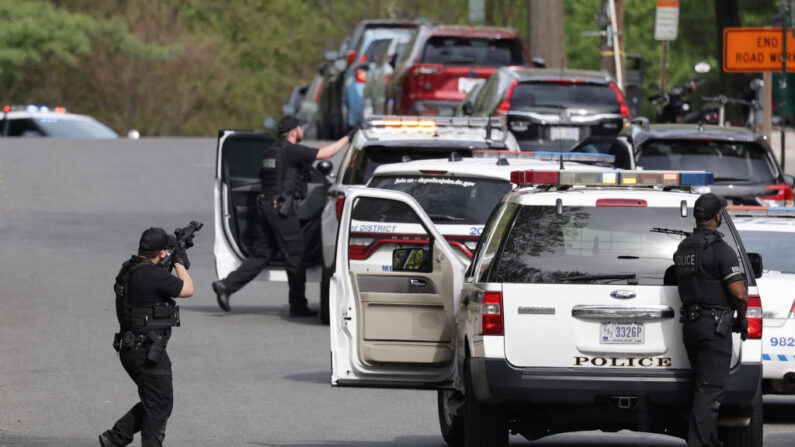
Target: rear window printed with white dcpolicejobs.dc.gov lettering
x,y
457,200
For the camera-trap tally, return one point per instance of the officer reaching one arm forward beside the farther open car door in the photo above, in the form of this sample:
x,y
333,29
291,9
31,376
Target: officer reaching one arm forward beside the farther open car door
x,y
284,185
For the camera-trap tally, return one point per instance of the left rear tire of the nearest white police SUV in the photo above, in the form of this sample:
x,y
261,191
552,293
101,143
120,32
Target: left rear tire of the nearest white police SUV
x,y
484,425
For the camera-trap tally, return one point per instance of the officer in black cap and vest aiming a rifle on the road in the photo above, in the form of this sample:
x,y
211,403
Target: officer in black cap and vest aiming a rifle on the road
x,y
146,313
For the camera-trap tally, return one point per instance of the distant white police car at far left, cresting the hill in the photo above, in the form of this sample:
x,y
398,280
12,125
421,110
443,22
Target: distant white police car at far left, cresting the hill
x,y
41,121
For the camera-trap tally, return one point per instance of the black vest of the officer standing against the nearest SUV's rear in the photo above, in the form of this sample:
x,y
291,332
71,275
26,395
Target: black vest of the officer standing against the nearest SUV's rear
x,y
697,285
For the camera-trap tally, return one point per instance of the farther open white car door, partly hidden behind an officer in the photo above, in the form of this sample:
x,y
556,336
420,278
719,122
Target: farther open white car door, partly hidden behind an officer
x,y
237,184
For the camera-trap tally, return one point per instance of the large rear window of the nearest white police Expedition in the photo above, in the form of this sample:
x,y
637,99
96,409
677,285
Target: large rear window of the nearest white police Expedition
x,y
611,245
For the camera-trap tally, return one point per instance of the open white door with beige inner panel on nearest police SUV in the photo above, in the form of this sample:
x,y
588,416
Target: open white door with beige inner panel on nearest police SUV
x,y
393,295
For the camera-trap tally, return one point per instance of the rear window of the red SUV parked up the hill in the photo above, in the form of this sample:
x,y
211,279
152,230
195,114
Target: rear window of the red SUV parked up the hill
x,y
473,51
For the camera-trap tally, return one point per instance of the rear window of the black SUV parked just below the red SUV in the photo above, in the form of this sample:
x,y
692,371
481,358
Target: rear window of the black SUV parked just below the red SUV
x,y
554,94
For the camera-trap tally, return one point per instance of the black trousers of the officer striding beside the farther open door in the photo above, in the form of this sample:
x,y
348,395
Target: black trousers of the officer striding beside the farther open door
x,y
281,233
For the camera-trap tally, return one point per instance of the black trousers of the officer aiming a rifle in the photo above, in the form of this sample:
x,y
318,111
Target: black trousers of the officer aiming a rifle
x,y
149,416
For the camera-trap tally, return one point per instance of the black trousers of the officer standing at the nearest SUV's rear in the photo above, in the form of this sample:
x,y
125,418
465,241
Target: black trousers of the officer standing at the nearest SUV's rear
x,y
710,357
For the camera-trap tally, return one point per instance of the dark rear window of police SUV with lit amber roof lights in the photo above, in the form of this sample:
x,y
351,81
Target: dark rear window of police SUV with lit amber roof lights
x,y
363,163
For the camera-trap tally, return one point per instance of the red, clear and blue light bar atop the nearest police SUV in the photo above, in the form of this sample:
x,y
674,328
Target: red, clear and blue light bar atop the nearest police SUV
x,y
611,178
